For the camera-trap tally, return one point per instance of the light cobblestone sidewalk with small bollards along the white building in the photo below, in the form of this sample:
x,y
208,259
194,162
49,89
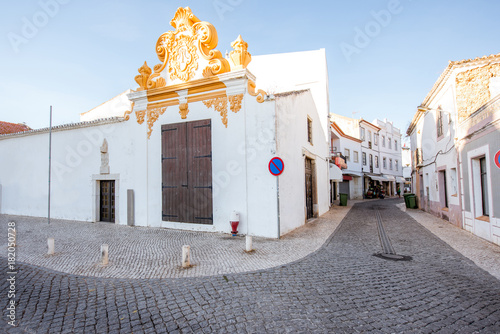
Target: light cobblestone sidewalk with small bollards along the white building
x,y
138,252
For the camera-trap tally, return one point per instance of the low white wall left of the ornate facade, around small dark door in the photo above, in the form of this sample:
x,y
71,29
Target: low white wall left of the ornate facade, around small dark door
x,y
76,157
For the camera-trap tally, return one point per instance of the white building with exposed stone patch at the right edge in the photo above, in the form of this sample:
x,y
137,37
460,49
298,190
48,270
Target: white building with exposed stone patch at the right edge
x,y
454,139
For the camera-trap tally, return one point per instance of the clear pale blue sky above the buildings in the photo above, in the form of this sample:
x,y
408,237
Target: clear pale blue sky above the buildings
x,y
85,52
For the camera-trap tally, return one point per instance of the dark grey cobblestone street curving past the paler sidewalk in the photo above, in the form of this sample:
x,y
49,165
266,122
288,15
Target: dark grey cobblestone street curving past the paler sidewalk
x,y
341,288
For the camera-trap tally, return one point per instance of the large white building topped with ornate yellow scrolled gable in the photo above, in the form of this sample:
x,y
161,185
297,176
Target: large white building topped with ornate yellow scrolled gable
x,y
190,146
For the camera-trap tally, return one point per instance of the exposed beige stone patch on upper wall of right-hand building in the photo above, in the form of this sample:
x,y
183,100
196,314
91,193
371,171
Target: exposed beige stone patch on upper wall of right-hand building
x,y
473,88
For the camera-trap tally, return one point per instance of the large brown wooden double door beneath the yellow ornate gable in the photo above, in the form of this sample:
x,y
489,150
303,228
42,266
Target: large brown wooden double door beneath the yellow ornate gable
x,y
187,172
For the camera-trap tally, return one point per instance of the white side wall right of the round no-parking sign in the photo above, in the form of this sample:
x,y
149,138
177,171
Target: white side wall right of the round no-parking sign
x,y
292,113
